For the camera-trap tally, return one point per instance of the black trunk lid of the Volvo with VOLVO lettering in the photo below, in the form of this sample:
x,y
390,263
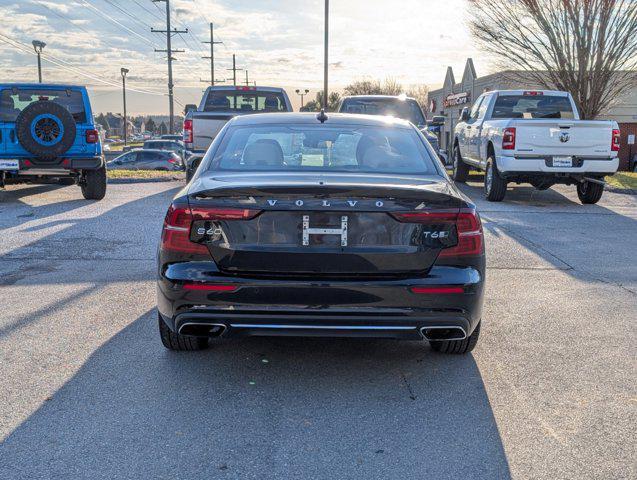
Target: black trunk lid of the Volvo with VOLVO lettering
x,y
332,226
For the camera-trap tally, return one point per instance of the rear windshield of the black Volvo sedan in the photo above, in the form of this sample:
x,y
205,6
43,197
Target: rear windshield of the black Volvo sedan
x,y
366,149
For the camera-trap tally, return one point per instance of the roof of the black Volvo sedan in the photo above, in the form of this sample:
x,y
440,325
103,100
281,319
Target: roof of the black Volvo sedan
x,y
310,118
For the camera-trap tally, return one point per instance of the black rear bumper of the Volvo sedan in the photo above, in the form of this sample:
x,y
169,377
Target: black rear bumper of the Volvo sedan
x,y
334,308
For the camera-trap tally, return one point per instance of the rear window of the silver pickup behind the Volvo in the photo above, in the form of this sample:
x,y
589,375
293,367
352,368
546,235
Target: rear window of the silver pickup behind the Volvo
x,y
241,101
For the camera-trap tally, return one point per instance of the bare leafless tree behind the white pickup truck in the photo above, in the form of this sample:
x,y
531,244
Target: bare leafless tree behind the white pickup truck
x,y
586,47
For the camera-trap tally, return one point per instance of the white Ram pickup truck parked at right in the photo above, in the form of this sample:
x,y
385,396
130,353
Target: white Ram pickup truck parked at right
x,y
535,137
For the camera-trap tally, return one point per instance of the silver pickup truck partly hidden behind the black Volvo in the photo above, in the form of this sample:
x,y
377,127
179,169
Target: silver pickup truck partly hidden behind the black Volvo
x,y
221,103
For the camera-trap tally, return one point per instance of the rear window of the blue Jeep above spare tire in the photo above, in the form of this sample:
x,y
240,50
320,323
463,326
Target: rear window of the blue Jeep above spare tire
x,y
13,101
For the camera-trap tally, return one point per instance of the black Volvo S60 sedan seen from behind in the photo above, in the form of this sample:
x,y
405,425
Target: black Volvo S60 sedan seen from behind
x,y
321,225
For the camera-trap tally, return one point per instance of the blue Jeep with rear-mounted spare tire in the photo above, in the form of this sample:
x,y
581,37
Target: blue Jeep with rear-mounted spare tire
x,y
48,131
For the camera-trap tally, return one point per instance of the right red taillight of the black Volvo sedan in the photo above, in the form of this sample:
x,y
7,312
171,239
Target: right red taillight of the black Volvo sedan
x,y
467,224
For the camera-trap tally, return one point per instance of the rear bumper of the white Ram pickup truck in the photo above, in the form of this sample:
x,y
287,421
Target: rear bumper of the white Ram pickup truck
x,y
581,166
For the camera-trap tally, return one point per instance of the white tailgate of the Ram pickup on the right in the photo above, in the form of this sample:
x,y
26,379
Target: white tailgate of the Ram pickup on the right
x,y
555,137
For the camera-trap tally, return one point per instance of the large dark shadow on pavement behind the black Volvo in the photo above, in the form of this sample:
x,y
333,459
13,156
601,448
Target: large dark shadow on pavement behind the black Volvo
x,y
262,408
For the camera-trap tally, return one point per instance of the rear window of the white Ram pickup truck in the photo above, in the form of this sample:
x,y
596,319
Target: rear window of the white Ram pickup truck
x,y
532,106
